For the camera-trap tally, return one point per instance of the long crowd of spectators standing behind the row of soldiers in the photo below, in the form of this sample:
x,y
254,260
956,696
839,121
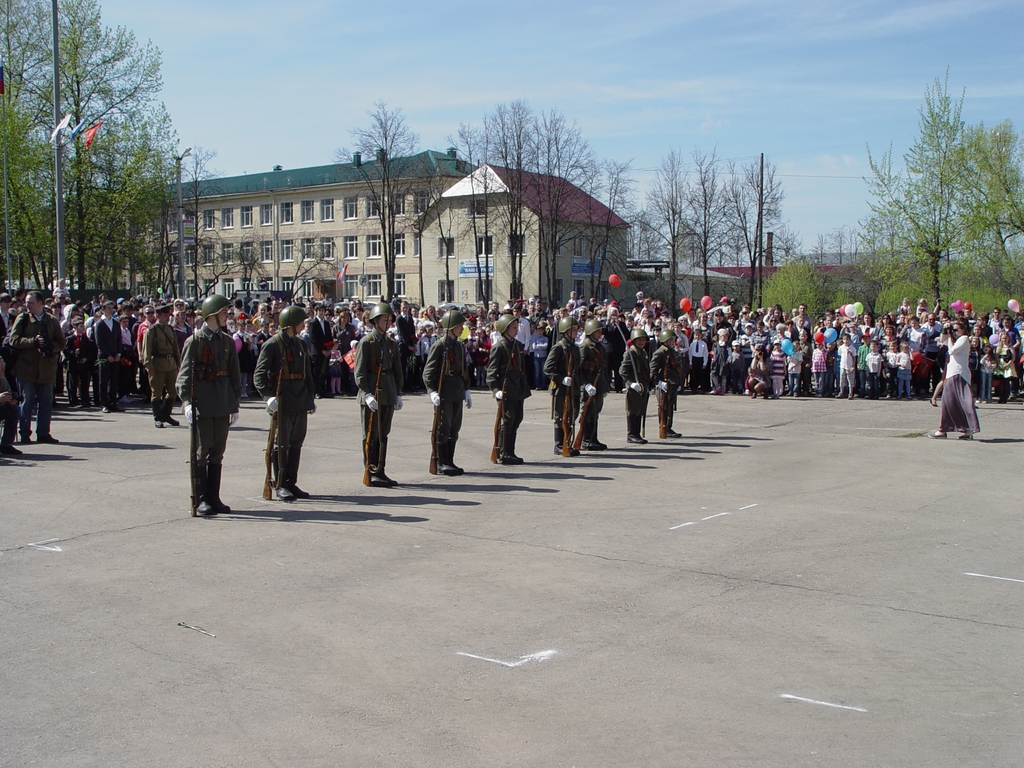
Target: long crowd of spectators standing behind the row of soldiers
x,y
93,361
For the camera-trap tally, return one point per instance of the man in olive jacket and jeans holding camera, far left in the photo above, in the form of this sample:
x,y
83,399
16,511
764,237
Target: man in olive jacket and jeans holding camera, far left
x,y
38,342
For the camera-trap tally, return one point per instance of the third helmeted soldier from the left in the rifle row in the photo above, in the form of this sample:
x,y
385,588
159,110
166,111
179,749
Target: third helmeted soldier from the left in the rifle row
x,y
378,375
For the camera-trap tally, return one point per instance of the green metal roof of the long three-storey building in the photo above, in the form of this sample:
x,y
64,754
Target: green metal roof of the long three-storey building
x,y
424,164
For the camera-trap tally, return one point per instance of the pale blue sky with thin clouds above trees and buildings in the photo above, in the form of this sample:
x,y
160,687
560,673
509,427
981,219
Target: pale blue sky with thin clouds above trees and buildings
x,y
812,84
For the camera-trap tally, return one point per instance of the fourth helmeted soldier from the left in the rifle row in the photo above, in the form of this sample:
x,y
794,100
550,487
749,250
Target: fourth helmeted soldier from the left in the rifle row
x,y
447,379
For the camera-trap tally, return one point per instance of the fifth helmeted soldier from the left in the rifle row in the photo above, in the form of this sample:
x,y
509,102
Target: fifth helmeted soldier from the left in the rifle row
x,y
507,380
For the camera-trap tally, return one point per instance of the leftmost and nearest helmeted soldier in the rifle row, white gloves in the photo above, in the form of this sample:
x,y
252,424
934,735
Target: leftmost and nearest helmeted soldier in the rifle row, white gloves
x,y
210,389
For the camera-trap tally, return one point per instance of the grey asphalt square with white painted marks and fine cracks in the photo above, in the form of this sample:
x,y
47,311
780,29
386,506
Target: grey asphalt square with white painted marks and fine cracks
x,y
794,583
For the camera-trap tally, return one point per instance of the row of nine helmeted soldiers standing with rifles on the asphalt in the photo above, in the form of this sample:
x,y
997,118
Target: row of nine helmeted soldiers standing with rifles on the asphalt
x,y
209,387
